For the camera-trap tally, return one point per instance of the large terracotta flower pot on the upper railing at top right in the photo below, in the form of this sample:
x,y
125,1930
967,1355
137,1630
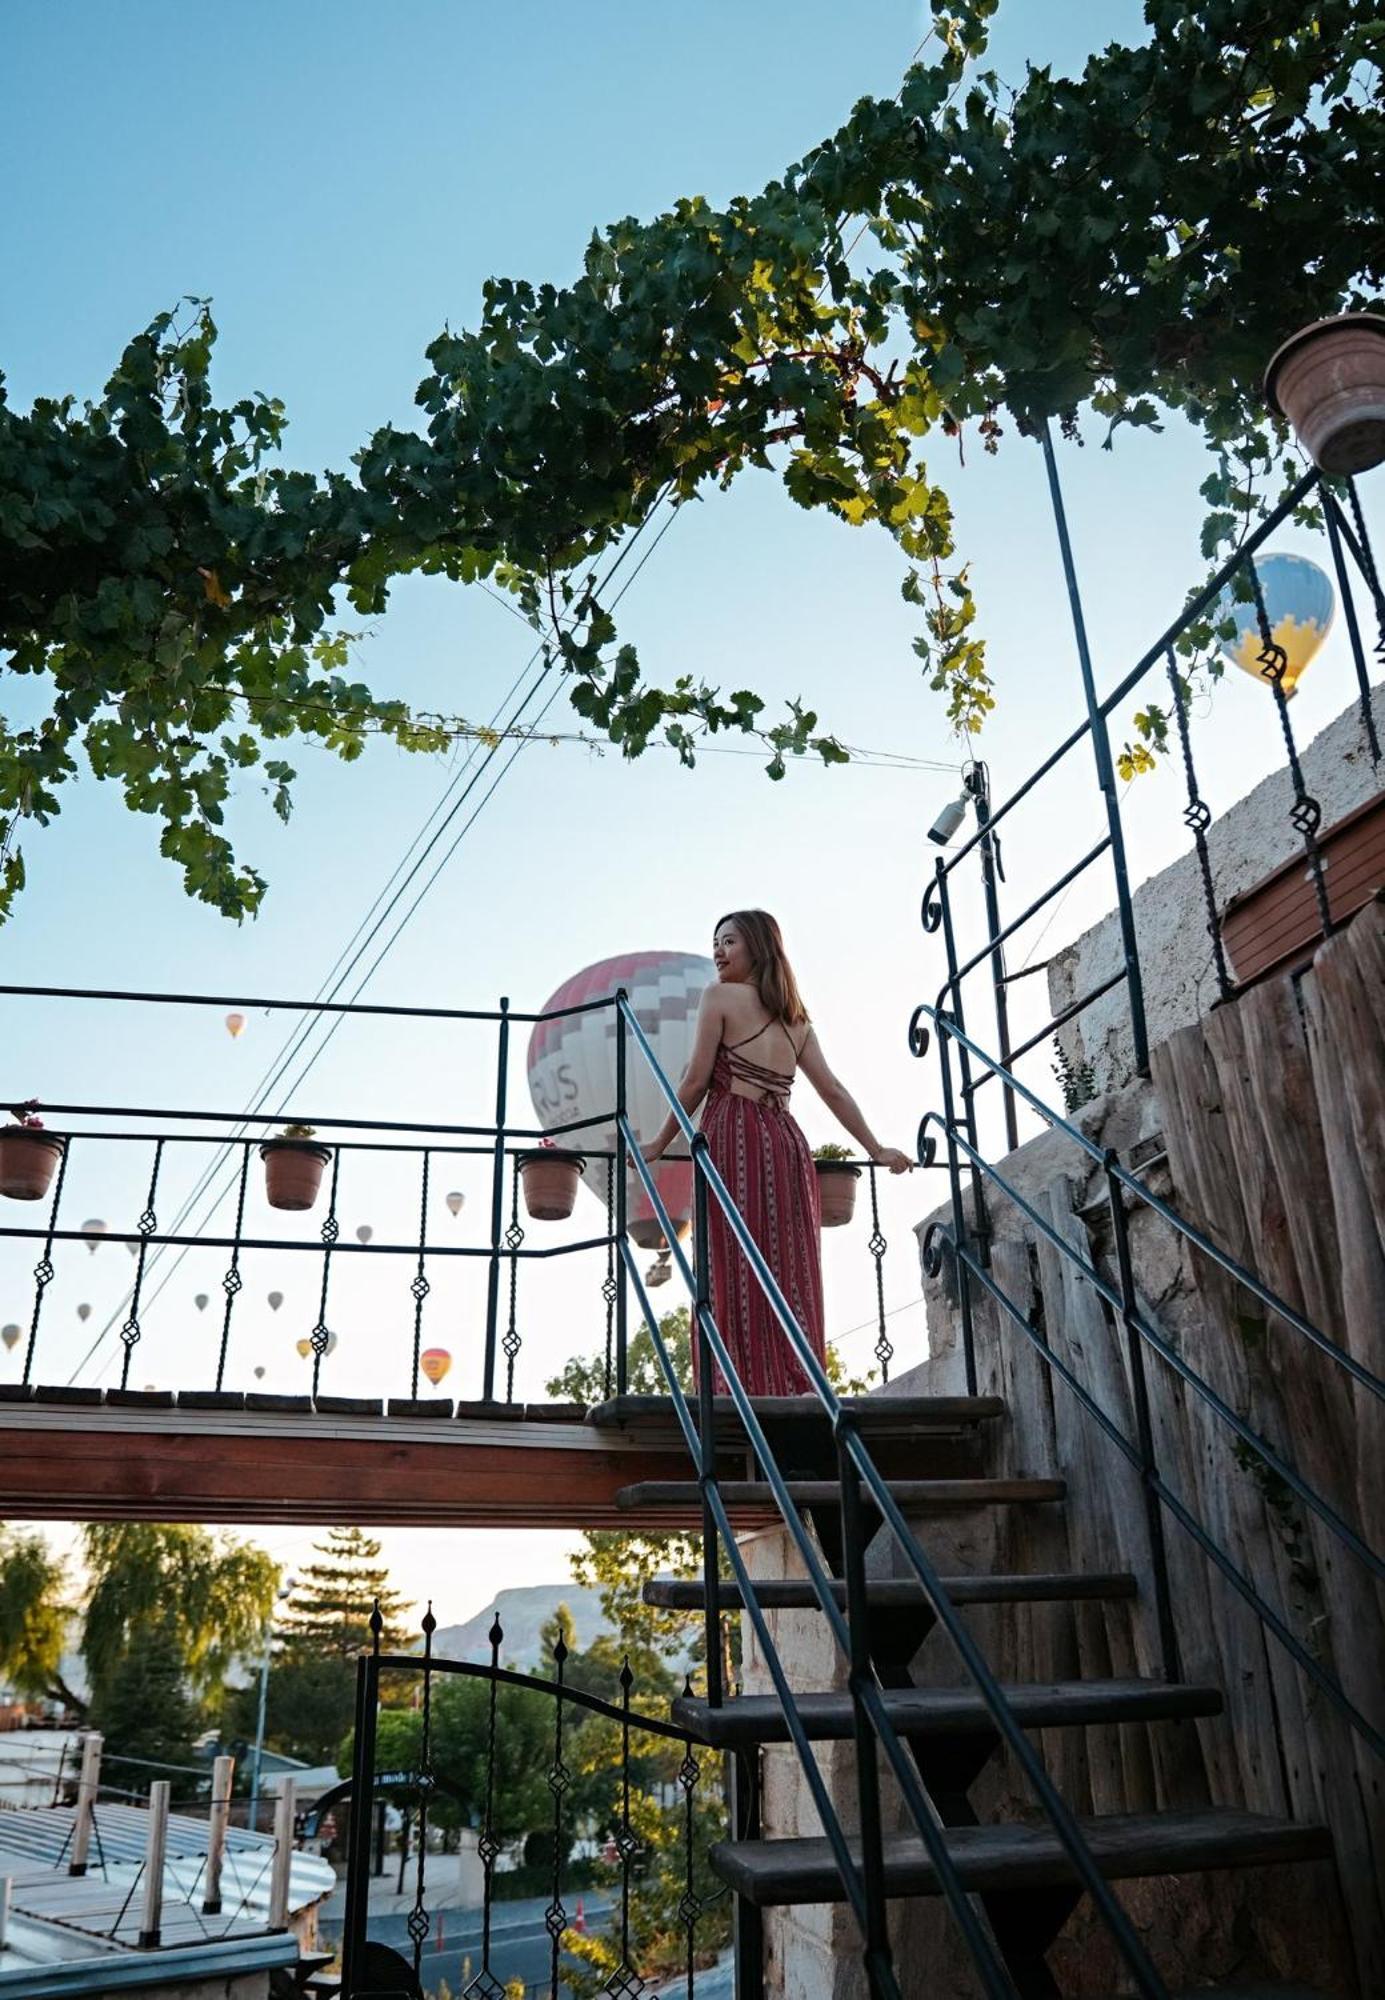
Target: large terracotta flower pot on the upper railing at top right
x,y
1330,383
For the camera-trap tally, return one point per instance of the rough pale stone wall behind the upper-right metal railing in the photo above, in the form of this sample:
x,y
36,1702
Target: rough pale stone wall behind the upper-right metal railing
x,y
1248,843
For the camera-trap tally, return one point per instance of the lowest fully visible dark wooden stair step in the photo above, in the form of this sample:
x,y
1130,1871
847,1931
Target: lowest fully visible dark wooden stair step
x,y
996,1859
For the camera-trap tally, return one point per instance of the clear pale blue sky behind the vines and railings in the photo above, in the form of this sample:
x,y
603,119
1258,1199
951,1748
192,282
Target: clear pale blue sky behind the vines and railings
x,y
341,181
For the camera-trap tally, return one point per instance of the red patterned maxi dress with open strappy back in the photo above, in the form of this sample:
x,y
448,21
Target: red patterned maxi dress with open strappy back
x,y
770,1175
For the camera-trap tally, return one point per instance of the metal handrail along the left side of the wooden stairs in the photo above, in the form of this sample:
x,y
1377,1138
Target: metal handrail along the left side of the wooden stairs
x,y
866,1691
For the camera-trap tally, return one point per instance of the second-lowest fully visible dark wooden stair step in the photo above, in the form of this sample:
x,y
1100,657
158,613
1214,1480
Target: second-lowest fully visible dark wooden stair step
x,y
760,1719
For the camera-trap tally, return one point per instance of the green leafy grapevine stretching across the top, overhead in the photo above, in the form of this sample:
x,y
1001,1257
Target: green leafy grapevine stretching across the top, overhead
x,y
1128,243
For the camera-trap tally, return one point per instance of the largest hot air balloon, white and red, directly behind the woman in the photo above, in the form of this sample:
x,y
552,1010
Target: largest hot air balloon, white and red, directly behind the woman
x,y
573,1069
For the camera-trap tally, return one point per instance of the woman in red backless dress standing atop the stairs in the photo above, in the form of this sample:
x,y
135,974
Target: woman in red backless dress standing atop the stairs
x,y
754,1035
